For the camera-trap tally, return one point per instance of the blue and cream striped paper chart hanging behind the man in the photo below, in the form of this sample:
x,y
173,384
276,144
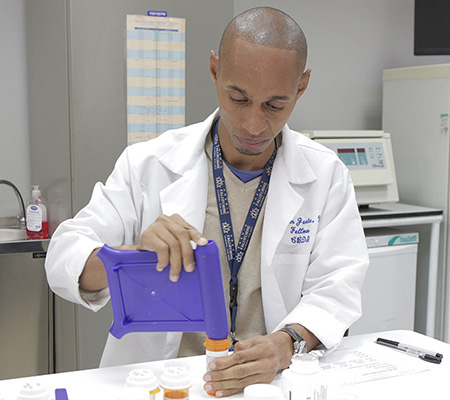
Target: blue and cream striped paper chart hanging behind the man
x,y
156,75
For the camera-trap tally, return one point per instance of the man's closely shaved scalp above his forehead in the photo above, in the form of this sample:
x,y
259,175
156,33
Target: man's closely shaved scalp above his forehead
x,y
265,26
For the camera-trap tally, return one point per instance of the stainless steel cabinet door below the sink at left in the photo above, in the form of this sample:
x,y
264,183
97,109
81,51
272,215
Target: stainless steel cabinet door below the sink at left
x,y
25,301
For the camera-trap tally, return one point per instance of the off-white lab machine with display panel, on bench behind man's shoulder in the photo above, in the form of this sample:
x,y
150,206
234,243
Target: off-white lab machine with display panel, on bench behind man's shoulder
x,y
369,158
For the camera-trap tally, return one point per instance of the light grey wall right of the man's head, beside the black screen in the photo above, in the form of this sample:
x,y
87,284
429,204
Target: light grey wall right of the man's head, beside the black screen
x,y
350,43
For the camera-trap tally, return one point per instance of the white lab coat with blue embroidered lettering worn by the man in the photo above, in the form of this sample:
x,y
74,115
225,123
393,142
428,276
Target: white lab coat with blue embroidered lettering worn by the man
x,y
315,282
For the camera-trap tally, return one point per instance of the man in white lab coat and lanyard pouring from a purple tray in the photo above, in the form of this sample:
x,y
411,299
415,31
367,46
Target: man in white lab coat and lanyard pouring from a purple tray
x,y
305,260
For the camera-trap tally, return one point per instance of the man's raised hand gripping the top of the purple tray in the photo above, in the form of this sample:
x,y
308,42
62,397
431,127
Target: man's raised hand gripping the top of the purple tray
x,y
170,238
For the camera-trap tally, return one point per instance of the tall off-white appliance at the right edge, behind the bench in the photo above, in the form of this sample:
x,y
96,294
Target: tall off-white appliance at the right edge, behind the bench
x,y
416,107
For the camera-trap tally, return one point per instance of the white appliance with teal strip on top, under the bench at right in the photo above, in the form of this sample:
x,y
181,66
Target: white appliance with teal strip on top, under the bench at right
x,y
388,293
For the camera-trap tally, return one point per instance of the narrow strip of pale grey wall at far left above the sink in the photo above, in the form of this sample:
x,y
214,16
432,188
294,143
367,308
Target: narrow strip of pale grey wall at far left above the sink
x,y
14,135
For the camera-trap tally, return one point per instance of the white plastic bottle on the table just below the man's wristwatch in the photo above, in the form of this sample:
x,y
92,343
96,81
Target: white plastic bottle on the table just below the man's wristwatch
x,y
303,379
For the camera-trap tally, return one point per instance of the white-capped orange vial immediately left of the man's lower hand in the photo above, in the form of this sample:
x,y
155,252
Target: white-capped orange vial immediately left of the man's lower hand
x,y
176,381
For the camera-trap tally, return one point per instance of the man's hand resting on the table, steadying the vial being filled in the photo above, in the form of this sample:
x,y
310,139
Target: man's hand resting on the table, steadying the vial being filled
x,y
255,360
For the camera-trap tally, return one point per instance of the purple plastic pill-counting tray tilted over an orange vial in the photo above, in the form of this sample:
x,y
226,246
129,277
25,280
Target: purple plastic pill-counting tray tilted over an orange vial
x,y
145,300
